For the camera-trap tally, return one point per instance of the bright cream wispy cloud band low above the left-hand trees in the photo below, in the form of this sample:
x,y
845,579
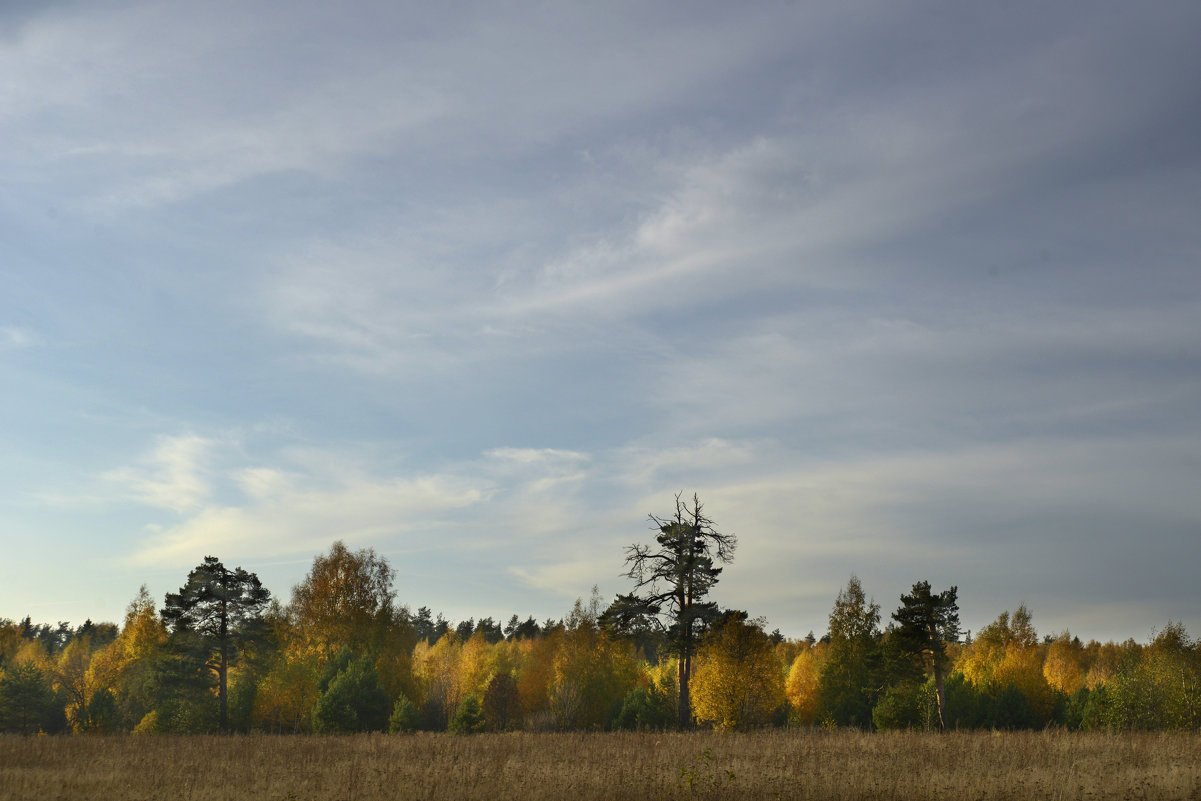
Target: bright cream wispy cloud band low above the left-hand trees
x,y
308,499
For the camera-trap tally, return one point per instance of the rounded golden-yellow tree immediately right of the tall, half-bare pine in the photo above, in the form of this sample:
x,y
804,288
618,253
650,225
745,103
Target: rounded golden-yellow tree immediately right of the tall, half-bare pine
x,y
739,683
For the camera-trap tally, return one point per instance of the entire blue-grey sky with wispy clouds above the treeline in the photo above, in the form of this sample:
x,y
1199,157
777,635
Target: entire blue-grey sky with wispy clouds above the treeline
x,y
903,290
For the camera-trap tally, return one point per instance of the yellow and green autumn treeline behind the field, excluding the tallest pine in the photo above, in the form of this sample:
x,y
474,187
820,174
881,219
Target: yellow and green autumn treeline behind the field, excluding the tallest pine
x,y
344,656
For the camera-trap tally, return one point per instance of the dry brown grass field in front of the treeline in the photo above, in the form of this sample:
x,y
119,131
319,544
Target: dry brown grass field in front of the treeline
x,y
610,767
